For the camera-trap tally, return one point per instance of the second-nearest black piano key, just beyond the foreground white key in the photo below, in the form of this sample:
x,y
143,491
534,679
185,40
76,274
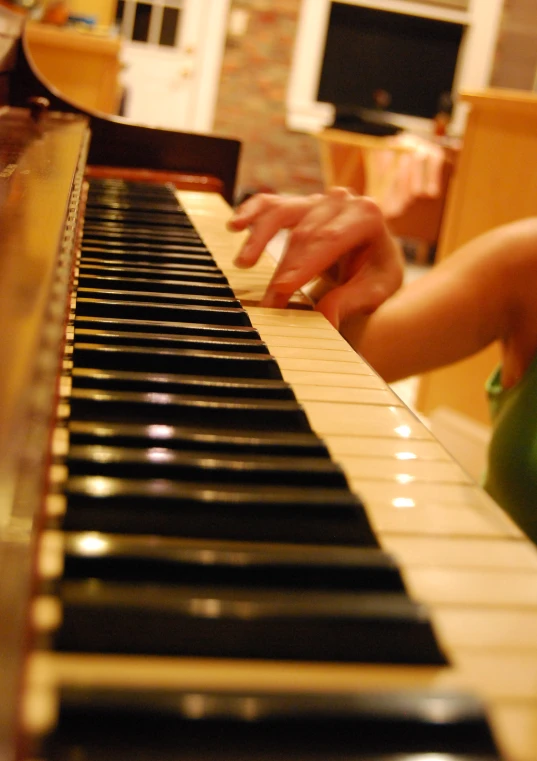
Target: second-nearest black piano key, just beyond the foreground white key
x,y
236,622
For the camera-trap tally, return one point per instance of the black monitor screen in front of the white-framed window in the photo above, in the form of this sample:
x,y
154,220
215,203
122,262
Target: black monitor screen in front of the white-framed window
x,y
376,59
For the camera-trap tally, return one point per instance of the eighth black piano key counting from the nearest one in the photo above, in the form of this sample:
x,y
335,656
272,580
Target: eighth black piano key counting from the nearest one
x,y
117,380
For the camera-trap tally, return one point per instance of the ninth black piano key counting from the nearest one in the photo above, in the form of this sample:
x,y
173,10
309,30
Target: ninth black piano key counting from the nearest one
x,y
190,362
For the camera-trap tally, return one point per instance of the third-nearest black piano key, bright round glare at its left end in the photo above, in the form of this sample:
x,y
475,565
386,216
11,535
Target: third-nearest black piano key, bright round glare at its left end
x,y
173,561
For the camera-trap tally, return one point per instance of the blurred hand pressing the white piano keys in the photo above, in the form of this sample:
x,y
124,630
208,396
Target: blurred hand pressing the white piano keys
x,y
337,233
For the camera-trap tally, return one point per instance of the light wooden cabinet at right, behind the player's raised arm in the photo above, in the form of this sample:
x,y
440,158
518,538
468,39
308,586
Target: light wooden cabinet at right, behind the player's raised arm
x,y
495,182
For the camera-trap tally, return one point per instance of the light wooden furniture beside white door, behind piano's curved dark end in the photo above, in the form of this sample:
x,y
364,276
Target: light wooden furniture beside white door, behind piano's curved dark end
x,y
82,66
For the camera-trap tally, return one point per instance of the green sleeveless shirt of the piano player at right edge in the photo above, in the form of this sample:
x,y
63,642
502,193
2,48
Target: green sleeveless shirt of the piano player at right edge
x,y
512,468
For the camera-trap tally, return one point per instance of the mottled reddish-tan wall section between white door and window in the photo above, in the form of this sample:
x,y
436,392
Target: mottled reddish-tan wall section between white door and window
x,y
251,101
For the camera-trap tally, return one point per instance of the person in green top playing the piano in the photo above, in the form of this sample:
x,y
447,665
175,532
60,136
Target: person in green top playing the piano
x,y
485,291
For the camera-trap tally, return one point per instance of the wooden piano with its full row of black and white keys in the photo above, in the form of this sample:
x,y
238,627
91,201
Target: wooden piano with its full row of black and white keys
x,y
222,535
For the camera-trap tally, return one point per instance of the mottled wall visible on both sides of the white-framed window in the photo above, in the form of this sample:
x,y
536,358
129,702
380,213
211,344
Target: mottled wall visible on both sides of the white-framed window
x,y
251,102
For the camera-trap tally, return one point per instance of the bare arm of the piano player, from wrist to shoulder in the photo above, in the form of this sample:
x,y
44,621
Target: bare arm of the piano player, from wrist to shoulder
x,y
460,306
